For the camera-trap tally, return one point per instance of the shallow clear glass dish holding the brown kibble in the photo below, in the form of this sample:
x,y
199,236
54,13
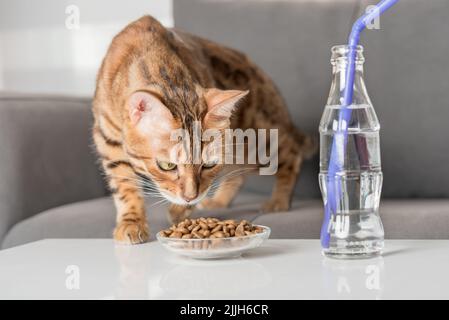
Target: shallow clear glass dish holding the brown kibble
x,y
214,248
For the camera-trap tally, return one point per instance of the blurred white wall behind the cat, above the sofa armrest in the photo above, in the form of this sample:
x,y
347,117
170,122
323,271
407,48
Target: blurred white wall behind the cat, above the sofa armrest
x,y
41,52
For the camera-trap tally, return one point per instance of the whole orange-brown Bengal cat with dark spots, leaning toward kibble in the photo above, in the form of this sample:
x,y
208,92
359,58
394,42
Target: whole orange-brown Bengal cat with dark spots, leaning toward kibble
x,y
154,80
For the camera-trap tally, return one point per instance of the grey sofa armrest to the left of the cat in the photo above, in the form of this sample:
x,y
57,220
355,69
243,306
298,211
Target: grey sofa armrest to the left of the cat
x,y
46,158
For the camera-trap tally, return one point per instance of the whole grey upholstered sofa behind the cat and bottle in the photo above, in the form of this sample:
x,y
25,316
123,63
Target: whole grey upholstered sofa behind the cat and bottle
x,y
50,185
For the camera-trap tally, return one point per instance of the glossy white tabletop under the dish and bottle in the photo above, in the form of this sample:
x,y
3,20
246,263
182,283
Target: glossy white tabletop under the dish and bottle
x,y
281,269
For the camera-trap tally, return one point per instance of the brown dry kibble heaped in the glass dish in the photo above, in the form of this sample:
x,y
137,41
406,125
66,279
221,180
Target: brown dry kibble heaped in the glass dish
x,y
210,228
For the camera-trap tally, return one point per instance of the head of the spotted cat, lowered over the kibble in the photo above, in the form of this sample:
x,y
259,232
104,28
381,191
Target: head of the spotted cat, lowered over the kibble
x,y
153,143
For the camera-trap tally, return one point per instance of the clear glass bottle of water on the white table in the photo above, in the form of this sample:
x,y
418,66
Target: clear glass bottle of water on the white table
x,y
351,193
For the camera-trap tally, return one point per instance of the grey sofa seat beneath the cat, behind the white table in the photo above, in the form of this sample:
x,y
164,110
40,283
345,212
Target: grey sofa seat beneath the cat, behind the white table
x,y
417,219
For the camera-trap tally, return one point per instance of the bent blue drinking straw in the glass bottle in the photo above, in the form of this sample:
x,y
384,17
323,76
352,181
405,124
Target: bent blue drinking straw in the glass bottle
x,y
335,164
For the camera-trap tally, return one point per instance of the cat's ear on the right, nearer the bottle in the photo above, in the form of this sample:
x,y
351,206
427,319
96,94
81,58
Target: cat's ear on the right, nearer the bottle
x,y
220,105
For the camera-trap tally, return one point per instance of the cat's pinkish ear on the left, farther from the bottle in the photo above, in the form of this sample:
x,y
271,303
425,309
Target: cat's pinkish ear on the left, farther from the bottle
x,y
147,112
